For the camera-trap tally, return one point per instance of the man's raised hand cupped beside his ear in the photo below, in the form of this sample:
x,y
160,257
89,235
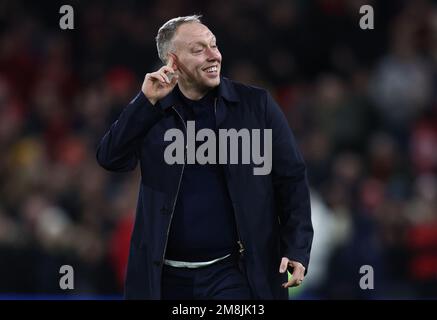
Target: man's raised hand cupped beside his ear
x,y
158,84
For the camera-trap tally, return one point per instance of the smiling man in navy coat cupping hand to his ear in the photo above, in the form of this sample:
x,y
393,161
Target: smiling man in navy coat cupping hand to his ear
x,y
214,230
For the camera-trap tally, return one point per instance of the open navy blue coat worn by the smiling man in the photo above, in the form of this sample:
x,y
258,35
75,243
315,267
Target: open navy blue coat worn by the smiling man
x,y
272,212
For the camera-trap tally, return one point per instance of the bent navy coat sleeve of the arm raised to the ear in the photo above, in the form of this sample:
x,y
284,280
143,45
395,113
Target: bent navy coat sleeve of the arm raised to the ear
x,y
120,146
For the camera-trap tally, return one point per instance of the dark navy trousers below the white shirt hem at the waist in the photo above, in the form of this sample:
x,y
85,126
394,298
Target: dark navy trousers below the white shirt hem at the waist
x,y
221,281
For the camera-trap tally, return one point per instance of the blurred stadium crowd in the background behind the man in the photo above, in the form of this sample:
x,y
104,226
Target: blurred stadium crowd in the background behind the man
x,y
362,104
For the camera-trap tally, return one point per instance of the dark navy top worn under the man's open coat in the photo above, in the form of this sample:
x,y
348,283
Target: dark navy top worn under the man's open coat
x,y
203,226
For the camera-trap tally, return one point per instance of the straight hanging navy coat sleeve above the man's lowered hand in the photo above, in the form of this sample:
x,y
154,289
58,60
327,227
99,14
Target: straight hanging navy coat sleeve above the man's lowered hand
x,y
291,189
